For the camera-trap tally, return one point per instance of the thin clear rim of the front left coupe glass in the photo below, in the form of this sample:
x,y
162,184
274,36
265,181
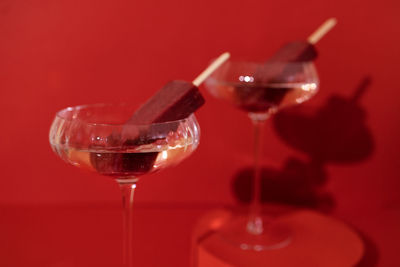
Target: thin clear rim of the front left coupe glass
x,y
59,115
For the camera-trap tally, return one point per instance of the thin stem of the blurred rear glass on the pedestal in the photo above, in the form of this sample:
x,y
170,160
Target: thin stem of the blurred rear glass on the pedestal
x,y
255,223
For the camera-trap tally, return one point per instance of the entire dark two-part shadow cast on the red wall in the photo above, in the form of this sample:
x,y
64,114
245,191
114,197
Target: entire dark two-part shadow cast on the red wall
x,y
334,133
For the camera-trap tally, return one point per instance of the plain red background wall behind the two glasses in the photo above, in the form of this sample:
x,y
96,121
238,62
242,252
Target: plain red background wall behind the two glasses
x,y
55,54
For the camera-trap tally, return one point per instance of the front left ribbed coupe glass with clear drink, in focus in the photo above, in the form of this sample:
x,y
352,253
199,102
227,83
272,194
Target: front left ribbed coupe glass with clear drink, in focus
x,y
97,138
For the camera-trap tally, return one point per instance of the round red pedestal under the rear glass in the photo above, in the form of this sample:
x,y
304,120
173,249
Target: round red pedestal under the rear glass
x,y
315,239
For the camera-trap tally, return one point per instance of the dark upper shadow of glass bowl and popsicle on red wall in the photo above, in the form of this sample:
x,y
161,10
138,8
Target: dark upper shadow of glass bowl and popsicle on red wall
x,y
334,133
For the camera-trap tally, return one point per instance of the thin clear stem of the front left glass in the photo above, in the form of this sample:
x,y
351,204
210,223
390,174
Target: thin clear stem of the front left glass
x,y
127,187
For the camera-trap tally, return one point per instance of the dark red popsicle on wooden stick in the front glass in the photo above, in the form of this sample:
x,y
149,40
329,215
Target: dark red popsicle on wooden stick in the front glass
x,y
175,101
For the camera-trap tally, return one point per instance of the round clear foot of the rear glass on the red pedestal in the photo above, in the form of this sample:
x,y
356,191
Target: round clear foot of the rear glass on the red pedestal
x,y
239,232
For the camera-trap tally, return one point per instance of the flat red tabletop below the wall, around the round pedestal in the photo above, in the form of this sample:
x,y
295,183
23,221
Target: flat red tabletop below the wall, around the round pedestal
x,y
162,236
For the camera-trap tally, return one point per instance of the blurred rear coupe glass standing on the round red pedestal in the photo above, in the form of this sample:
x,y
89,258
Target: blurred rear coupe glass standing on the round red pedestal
x,y
261,89
